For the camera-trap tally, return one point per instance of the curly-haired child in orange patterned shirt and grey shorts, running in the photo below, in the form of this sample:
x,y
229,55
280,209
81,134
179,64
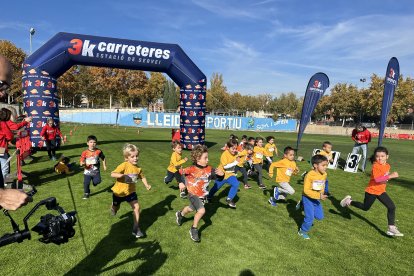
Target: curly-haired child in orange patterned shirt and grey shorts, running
x,y
197,178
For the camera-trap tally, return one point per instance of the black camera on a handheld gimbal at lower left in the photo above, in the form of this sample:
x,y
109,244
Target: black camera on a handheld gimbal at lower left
x,y
55,229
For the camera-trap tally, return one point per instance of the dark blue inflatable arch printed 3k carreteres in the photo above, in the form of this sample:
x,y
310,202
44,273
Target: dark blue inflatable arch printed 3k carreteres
x,y
54,58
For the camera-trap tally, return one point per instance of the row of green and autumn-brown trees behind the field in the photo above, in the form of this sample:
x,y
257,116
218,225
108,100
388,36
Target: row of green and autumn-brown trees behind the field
x,y
106,87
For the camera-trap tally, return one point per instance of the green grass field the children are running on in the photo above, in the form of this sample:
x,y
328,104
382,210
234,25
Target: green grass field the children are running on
x,y
254,239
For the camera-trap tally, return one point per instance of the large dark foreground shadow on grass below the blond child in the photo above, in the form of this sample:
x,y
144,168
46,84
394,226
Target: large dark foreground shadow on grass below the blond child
x,y
149,253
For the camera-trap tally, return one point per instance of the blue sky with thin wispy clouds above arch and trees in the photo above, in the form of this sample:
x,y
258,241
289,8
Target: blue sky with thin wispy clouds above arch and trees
x,y
271,46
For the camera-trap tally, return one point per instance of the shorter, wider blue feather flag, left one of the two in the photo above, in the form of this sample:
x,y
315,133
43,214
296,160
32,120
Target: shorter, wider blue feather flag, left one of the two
x,y
317,85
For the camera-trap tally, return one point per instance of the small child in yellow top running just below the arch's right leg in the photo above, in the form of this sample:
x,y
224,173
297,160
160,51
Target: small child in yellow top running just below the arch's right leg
x,y
176,161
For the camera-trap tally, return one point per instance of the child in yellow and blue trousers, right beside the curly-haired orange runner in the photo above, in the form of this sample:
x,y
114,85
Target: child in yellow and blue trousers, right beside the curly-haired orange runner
x,y
228,163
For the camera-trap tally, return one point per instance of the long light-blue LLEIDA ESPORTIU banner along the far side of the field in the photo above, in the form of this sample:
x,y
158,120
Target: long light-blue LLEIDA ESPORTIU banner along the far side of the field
x,y
144,119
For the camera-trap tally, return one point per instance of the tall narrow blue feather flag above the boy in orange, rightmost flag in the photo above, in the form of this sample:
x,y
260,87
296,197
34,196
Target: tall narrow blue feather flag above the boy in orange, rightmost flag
x,y
390,83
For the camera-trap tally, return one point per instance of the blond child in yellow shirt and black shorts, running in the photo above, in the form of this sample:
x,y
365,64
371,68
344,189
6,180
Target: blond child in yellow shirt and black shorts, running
x,y
127,175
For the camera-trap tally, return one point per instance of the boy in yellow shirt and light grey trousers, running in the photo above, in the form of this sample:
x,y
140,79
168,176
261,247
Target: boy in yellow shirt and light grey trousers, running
x,y
285,169
